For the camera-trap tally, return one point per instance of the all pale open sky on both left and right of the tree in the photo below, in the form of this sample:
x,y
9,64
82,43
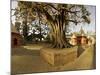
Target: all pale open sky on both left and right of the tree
x,y
86,27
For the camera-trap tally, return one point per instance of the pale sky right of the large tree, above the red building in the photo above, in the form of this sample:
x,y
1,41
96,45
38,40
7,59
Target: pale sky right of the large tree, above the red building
x,y
87,27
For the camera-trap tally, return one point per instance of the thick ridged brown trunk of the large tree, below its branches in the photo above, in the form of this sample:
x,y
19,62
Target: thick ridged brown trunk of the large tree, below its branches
x,y
58,37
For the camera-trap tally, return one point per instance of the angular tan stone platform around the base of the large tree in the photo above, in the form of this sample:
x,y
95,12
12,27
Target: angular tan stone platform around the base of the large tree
x,y
57,57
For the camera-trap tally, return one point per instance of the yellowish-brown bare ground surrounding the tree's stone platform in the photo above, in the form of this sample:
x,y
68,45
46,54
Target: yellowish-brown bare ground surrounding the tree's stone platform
x,y
26,59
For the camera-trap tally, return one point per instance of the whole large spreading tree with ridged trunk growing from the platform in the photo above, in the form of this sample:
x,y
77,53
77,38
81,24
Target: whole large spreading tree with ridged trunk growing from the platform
x,y
57,16
